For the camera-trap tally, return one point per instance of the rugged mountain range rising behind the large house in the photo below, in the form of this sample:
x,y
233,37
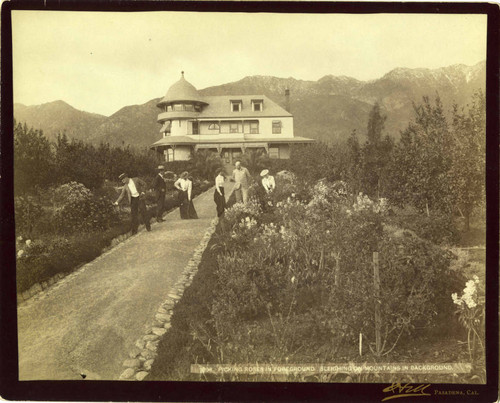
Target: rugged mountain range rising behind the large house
x,y
328,109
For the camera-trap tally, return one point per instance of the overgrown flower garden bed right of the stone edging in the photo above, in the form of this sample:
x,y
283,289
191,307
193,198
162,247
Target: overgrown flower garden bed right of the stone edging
x,y
255,299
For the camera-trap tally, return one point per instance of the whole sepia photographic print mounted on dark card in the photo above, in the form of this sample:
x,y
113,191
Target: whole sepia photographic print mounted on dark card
x,y
269,197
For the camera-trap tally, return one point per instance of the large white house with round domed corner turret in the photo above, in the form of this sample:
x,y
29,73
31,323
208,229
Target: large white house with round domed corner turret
x,y
227,124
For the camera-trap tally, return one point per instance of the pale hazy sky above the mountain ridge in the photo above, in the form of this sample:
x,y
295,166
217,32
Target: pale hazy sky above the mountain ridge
x,y
100,62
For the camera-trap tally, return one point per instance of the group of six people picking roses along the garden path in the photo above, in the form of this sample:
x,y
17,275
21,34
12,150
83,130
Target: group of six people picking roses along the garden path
x,y
135,190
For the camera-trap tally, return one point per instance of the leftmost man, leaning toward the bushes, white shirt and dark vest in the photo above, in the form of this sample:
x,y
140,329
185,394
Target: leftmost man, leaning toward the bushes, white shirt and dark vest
x,y
135,189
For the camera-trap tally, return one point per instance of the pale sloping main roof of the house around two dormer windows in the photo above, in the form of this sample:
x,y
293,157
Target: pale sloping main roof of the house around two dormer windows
x,y
220,107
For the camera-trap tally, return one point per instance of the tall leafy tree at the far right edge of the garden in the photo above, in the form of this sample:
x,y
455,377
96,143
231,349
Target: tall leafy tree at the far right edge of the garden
x,y
467,174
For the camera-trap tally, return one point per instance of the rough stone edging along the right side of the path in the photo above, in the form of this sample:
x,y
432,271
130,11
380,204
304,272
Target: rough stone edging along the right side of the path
x,y
143,354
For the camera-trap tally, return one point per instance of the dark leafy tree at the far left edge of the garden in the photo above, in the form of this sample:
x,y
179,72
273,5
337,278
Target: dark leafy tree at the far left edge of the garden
x,y
33,159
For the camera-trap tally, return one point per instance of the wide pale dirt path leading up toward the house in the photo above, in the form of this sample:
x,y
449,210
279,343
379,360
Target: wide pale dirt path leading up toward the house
x,y
89,321
